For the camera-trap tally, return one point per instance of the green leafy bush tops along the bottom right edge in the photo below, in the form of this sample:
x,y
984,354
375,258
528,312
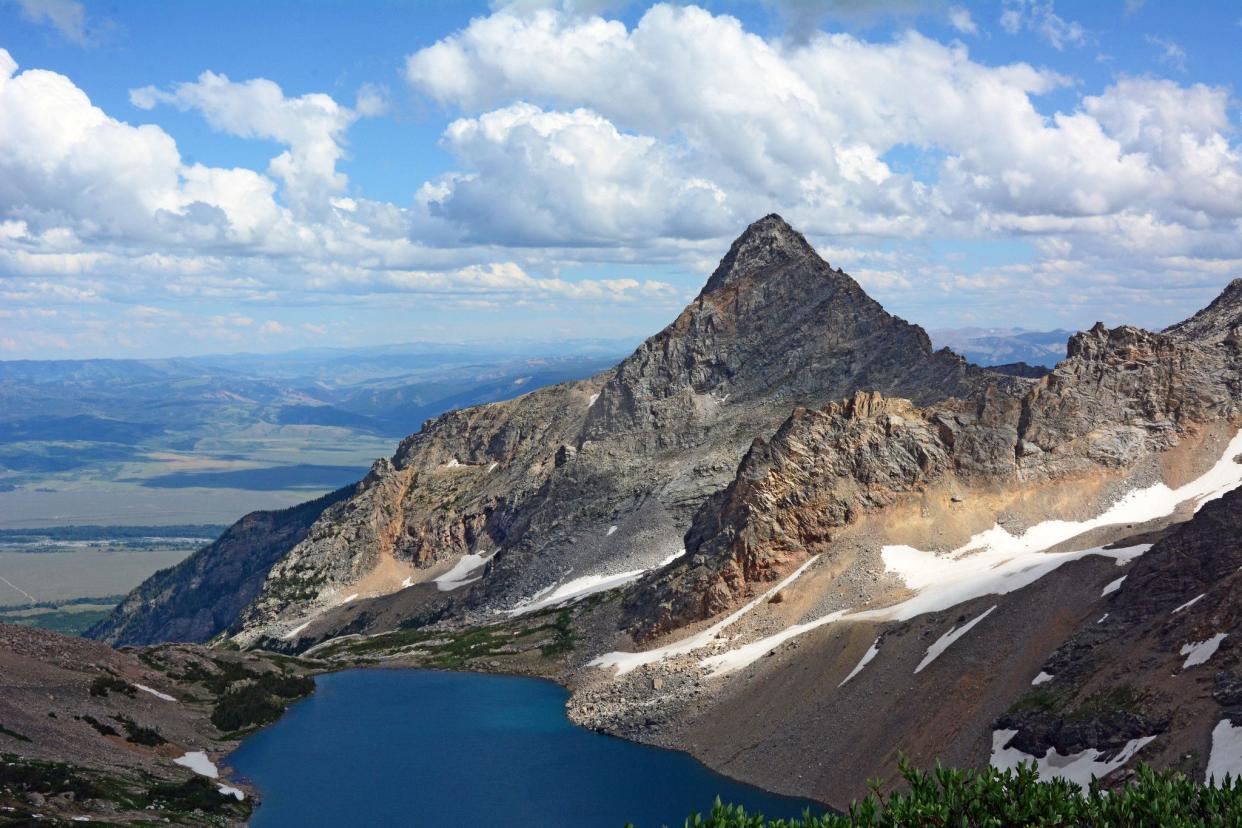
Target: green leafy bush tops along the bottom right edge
x,y
993,799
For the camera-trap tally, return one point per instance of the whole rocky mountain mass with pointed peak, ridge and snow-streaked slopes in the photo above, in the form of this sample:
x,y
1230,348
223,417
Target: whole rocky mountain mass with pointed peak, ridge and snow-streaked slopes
x,y
789,537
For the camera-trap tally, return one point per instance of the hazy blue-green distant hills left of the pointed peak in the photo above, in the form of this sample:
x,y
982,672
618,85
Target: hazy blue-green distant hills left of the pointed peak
x,y
250,421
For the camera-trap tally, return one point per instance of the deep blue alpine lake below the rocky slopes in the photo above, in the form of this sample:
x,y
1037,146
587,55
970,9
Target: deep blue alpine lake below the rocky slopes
x,y
422,748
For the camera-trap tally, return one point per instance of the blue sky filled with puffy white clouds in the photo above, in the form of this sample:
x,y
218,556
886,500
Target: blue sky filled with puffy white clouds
x,y
202,178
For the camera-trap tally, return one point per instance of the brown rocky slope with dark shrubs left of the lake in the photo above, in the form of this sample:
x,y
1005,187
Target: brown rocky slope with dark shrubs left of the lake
x,y
91,734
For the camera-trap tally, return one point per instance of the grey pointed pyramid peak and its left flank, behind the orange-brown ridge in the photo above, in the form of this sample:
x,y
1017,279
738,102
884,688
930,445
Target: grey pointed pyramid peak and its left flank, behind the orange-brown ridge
x,y
542,480
